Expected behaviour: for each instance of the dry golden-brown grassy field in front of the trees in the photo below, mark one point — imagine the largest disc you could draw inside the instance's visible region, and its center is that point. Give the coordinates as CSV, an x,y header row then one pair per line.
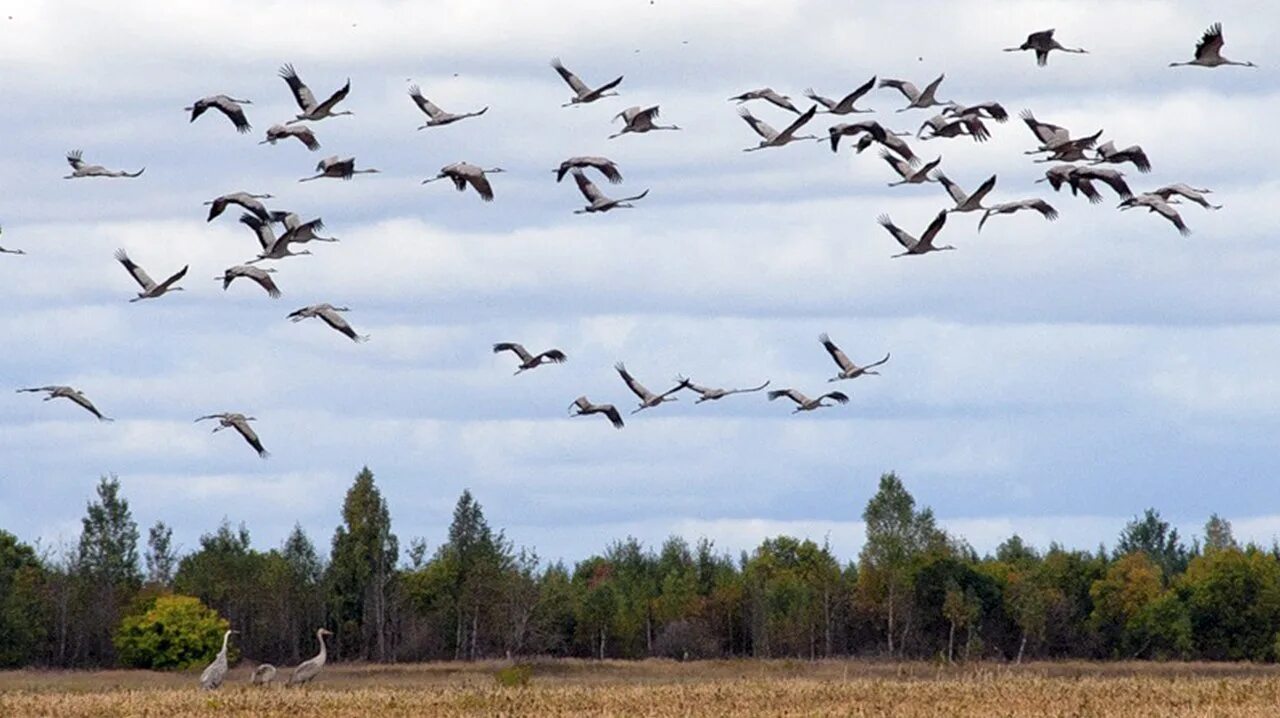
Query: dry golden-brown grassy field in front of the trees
x,y
659,688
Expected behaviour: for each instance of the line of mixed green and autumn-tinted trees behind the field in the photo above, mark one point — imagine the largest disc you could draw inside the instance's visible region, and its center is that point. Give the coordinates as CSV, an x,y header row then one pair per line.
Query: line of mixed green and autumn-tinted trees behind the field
x,y
915,593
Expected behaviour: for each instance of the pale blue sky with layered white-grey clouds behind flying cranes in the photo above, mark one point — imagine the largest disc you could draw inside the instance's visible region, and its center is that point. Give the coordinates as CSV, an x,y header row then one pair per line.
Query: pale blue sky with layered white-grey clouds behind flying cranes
x,y
1048,378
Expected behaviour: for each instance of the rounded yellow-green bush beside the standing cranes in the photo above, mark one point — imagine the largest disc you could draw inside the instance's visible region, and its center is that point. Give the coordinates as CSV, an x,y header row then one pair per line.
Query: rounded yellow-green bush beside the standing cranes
x,y
170,632
